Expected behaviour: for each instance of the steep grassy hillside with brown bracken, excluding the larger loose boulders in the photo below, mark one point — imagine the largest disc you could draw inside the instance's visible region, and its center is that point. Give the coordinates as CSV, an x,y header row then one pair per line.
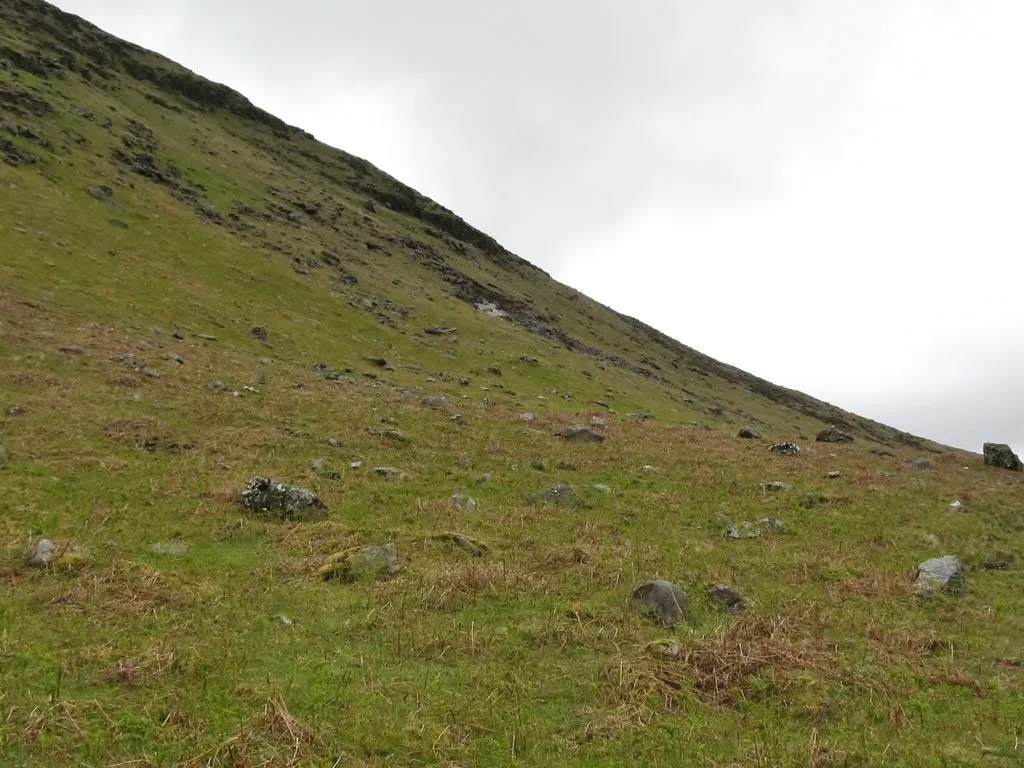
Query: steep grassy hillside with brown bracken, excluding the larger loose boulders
x,y
193,293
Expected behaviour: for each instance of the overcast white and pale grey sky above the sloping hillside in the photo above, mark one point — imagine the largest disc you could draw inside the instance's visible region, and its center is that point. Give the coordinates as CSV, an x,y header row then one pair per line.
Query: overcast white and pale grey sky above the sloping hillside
x,y
829,194
